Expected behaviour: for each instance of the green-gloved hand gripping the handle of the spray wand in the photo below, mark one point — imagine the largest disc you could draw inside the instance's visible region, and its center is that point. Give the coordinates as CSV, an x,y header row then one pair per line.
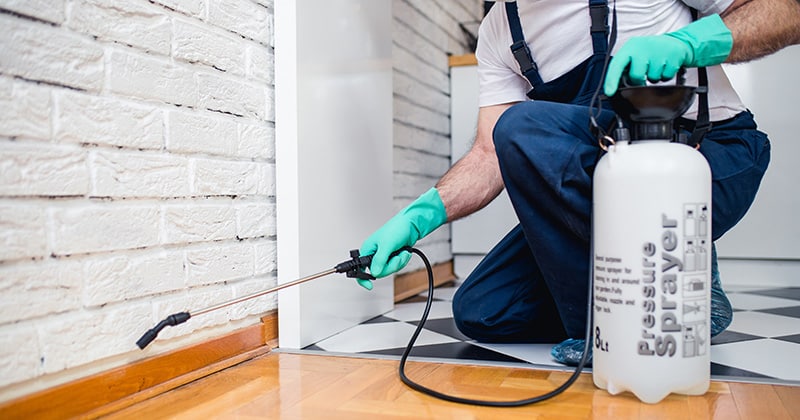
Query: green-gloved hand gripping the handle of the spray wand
x,y
408,226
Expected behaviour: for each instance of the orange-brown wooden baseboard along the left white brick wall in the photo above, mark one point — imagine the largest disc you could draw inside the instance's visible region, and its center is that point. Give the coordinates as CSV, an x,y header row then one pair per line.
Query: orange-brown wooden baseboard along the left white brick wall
x,y
114,389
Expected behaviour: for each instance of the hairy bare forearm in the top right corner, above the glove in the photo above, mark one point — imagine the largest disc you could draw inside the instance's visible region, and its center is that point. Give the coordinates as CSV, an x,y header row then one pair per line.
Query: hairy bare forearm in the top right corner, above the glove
x,y
761,27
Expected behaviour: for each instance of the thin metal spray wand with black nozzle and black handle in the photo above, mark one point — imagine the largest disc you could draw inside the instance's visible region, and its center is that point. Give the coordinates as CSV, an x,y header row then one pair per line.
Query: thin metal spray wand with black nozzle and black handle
x,y
354,267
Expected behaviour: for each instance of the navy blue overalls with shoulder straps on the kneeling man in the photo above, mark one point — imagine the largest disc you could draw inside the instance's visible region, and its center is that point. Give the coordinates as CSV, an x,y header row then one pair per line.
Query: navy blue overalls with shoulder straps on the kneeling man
x,y
532,286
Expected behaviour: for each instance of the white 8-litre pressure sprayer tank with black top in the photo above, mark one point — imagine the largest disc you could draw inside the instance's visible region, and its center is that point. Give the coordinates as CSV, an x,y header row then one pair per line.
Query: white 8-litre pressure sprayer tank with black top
x,y
651,262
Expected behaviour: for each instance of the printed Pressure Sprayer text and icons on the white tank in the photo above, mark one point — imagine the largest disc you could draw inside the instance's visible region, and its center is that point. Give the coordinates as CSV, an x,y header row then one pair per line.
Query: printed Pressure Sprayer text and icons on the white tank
x,y
668,285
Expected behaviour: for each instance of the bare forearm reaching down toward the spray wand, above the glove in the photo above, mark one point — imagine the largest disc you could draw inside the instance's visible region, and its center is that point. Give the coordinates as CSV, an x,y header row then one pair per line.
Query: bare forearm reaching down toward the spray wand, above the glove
x,y
474,181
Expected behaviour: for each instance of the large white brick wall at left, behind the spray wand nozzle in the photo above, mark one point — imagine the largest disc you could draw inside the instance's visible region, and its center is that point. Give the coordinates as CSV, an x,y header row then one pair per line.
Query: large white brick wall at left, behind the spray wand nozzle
x,y
136,177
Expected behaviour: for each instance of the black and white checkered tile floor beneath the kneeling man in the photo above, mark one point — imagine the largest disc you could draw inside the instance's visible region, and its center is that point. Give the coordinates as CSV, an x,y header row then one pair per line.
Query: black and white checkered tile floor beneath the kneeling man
x,y
761,345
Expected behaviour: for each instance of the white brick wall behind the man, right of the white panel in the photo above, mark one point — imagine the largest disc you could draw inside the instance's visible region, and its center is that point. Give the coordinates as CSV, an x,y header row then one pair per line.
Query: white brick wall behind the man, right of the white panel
x,y
424,33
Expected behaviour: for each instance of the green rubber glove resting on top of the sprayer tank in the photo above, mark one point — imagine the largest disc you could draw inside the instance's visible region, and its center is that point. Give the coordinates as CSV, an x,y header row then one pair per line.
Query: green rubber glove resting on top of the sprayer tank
x,y
705,42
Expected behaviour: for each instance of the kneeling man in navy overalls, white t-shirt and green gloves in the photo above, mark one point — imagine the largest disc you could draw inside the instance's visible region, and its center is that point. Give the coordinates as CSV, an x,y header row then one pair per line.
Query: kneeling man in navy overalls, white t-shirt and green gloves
x,y
532,287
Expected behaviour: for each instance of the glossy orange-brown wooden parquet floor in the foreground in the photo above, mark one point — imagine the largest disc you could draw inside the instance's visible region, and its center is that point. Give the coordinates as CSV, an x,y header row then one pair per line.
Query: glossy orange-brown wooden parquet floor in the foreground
x,y
280,385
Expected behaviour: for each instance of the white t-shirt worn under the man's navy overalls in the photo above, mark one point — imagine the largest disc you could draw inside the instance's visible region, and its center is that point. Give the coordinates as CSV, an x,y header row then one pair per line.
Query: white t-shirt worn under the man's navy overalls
x,y
557,32
